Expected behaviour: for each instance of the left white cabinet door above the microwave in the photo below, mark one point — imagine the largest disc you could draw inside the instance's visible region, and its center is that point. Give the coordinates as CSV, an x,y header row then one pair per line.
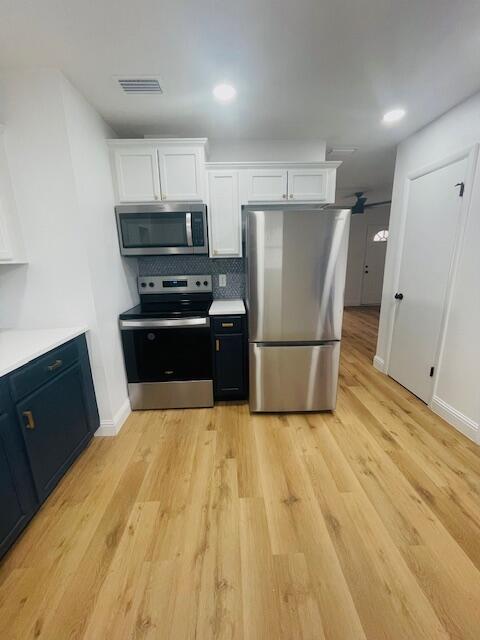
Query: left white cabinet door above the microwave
x,y
137,175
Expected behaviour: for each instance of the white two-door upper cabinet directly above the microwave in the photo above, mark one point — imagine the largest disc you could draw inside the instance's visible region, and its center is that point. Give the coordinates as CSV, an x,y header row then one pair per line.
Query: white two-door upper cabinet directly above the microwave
x,y
163,169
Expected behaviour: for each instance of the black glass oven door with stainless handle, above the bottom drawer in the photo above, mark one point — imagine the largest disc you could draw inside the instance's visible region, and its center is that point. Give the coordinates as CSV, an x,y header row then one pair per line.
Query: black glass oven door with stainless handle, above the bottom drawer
x,y
167,350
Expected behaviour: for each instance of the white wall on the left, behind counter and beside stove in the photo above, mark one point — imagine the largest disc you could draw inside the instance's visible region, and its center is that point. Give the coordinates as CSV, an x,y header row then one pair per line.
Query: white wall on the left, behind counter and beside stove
x,y
58,160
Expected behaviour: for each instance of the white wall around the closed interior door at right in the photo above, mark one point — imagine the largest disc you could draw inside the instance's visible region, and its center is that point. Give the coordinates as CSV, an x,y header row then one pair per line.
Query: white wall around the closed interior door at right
x,y
456,394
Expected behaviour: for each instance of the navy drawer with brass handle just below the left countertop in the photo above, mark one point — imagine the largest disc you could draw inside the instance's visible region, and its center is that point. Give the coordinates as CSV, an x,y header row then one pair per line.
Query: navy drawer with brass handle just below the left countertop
x,y
43,369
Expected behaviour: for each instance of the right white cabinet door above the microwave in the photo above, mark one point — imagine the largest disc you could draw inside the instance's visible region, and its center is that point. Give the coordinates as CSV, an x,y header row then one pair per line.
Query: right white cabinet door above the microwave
x,y
181,172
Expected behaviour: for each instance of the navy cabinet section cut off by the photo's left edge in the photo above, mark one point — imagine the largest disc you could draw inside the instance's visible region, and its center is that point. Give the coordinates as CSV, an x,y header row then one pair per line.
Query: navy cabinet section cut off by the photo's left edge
x,y
18,502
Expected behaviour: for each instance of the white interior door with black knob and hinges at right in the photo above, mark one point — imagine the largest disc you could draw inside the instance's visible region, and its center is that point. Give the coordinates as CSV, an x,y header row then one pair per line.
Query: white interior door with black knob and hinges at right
x,y
433,212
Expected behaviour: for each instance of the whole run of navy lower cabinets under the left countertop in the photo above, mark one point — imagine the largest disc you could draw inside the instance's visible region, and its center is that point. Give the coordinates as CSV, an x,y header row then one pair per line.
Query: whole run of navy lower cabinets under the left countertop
x,y
48,415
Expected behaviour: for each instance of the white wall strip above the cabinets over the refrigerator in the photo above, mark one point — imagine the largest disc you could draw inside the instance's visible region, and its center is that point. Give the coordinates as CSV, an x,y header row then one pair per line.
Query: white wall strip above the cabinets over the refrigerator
x,y
271,150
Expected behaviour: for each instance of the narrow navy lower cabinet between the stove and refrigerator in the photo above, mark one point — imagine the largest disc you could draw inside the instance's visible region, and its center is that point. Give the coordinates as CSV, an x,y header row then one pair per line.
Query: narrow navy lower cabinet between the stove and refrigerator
x,y
229,344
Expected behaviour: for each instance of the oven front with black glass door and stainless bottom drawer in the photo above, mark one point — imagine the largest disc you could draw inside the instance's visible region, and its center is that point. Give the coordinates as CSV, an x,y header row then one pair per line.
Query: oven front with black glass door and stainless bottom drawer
x,y
168,362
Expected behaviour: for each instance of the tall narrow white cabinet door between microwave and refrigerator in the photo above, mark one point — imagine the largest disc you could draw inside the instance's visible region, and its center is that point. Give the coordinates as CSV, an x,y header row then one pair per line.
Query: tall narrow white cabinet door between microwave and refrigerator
x,y
224,215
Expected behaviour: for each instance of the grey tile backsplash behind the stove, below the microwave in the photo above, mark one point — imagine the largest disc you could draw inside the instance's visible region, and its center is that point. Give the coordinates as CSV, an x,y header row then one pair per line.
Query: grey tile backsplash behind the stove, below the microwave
x,y
233,268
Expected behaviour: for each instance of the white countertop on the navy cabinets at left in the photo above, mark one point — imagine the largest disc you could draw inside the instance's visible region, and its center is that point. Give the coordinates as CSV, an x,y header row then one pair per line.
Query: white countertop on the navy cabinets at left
x,y
19,346
